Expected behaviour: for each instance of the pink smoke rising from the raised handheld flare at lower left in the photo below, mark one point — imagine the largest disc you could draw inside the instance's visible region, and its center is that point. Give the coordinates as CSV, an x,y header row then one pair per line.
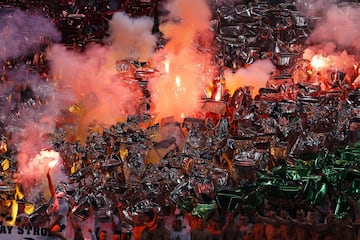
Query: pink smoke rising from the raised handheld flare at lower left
x,y
30,126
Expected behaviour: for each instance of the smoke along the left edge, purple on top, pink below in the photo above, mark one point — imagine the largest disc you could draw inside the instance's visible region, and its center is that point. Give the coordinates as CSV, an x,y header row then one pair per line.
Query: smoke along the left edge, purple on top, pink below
x,y
27,121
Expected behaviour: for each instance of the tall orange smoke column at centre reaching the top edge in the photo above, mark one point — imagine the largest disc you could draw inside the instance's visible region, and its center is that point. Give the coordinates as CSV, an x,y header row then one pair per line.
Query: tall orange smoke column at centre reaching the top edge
x,y
184,62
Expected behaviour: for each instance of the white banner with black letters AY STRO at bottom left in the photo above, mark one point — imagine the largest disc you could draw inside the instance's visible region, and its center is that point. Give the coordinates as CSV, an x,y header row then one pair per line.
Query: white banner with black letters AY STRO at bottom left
x,y
23,233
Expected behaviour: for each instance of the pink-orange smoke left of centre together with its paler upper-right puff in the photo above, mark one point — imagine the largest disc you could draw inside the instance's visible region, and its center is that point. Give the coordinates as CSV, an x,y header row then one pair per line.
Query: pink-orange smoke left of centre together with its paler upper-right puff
x,y
90,81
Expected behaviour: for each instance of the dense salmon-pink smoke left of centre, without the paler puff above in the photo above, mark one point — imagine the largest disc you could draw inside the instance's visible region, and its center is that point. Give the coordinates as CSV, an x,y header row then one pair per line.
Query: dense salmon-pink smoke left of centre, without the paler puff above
x,y
91,79
